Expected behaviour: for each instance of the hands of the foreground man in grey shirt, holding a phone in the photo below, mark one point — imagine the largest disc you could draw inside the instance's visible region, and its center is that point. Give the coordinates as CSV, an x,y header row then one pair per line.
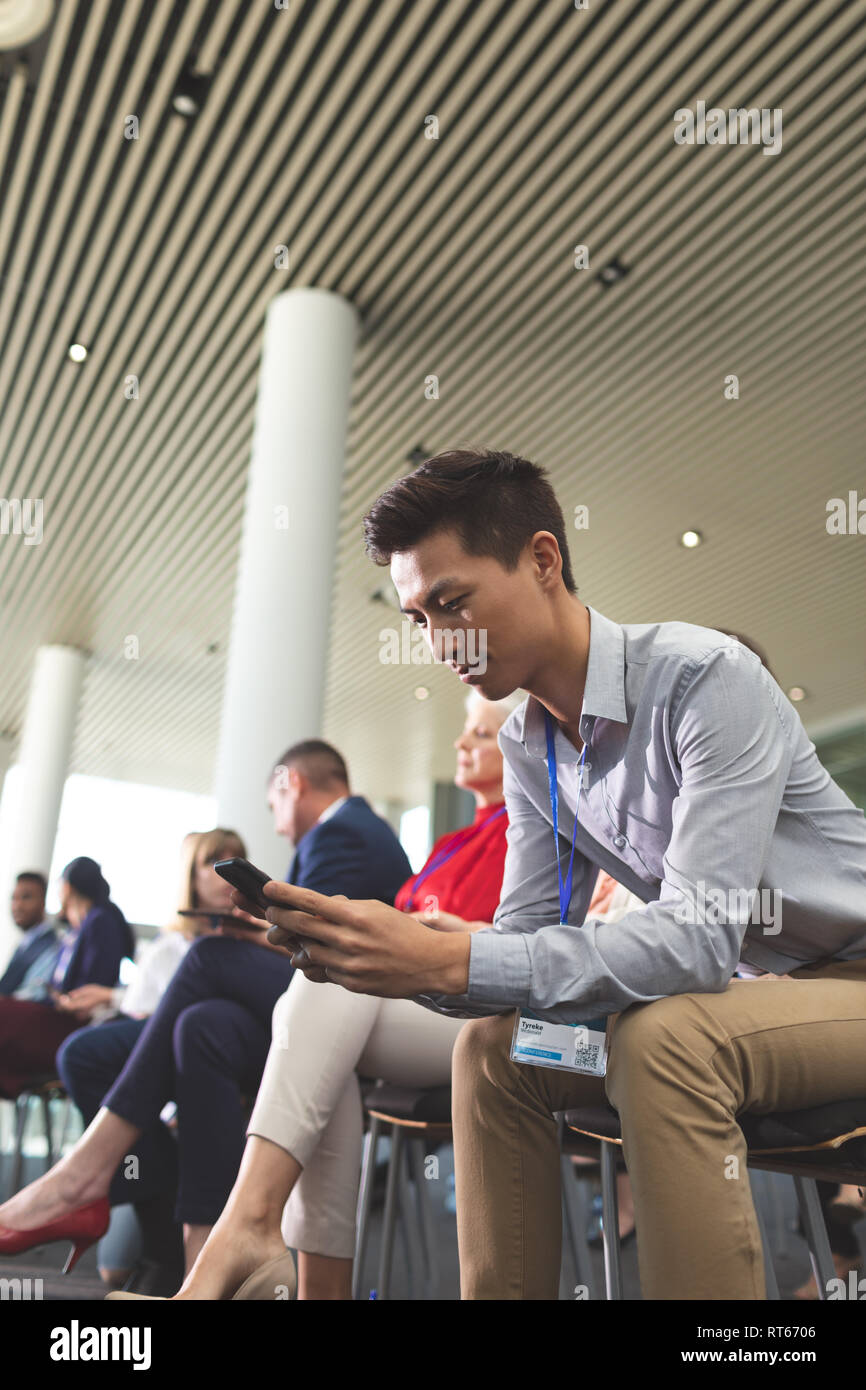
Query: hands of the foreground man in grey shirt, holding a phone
x,y
366,946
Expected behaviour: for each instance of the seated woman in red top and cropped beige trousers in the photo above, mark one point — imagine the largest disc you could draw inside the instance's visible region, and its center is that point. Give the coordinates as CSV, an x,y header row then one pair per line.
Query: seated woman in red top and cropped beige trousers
x,y
305,1136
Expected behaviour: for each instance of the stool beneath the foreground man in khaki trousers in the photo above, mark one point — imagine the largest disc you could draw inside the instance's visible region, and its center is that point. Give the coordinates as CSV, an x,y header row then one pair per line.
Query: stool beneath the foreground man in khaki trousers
x,y
826,1142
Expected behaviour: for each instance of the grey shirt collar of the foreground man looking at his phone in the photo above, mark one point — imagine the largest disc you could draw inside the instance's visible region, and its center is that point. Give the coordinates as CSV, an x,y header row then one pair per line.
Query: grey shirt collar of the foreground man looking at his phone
x,y
604,692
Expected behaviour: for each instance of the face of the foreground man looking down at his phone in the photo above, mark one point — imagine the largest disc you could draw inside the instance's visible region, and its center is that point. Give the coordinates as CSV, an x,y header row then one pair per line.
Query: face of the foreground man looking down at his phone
x,y
503,614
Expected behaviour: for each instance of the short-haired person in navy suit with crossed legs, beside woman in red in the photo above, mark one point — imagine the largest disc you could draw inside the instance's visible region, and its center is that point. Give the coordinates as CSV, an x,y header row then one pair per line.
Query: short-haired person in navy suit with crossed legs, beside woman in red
x,y
208,1040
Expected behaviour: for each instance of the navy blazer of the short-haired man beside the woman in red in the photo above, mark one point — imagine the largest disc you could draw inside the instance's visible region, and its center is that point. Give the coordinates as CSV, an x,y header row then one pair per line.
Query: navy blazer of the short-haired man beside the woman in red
x,y
354,853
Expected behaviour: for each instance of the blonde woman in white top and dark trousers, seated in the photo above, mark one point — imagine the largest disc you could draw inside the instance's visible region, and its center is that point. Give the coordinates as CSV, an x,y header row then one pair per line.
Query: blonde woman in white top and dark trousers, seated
x,y
91,1060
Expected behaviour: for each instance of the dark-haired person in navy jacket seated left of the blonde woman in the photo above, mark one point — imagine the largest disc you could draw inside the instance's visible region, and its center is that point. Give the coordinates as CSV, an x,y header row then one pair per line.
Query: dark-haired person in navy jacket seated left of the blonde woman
x,y
91,953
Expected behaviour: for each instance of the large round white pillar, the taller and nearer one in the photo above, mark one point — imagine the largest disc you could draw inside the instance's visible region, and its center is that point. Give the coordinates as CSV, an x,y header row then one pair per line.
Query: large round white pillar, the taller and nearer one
x,y
280,637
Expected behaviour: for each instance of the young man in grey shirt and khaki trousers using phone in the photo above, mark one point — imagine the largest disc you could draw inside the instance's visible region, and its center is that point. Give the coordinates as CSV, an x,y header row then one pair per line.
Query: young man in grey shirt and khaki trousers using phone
x,y
701,794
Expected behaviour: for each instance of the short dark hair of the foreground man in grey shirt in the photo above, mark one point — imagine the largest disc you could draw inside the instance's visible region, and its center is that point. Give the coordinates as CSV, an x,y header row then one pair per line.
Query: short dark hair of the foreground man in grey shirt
x,y
496,502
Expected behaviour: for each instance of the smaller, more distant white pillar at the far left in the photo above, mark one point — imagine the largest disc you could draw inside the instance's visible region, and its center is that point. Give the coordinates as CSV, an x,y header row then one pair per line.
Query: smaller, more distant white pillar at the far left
x,y
44,761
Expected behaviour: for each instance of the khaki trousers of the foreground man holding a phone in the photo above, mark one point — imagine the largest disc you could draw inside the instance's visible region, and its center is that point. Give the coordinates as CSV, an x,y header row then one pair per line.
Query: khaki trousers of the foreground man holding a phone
x,y
679,1072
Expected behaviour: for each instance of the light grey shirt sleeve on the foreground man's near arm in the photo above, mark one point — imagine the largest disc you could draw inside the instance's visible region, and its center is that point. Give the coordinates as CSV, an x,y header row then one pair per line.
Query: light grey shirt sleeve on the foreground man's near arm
x,y
736,755
